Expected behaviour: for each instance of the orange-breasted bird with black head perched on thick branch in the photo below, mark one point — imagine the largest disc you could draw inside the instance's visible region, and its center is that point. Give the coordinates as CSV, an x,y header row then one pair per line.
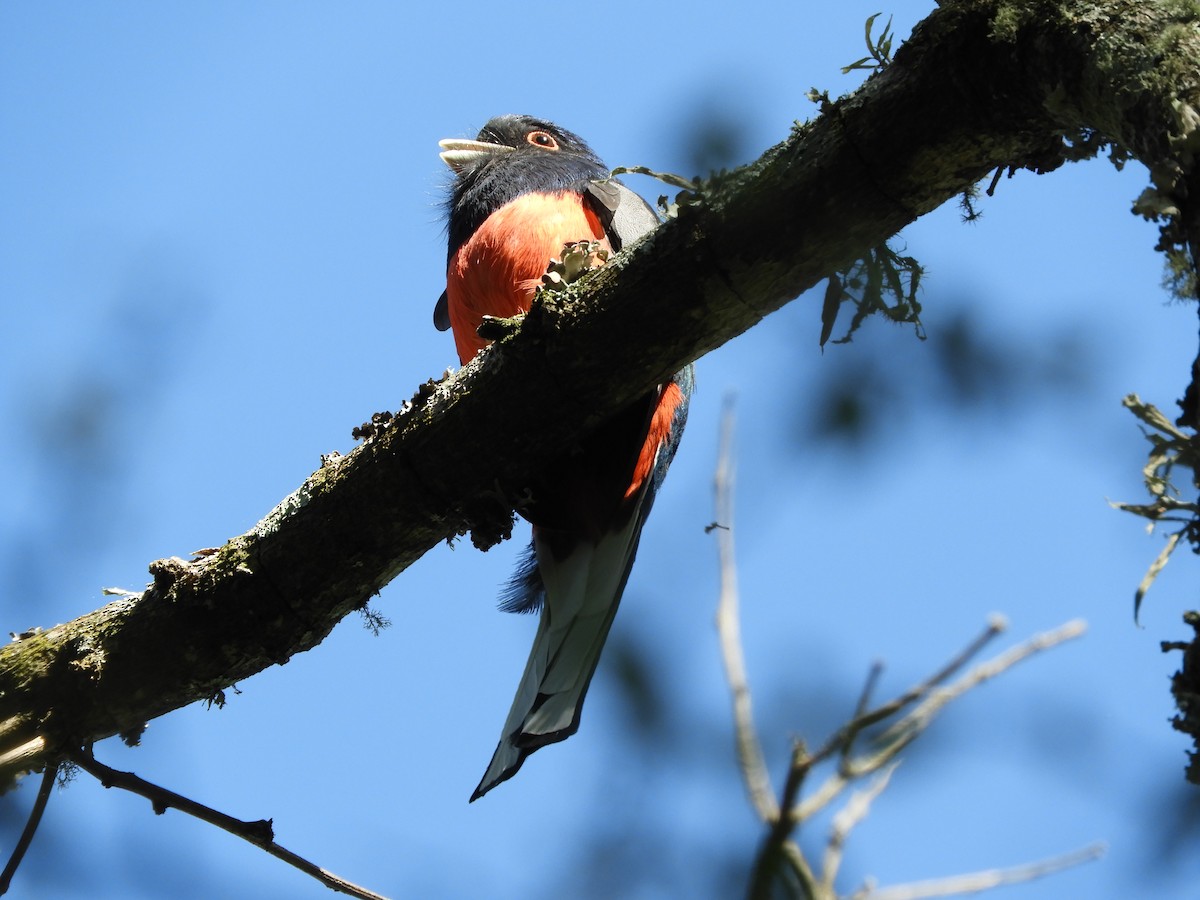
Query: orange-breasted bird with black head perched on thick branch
x,y
523,190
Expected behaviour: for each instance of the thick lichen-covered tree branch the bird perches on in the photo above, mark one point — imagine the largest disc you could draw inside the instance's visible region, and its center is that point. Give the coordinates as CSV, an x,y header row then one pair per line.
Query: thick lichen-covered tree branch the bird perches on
x,y
980,86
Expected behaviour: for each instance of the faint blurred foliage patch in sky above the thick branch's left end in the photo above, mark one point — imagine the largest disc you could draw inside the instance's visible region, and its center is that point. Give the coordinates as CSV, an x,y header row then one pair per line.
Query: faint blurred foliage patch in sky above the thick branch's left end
x,y
81,413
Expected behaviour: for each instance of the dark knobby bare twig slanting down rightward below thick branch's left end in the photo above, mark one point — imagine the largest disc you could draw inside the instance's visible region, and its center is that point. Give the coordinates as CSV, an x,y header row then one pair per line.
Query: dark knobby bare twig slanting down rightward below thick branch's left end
x,y
261,833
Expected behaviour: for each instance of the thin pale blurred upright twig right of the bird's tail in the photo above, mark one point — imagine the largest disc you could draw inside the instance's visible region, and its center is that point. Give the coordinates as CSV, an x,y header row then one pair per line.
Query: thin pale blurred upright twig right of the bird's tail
x,y
751,759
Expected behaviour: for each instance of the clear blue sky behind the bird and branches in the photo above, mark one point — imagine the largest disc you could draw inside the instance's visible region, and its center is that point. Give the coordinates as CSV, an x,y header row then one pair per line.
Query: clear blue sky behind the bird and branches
x,y
220,247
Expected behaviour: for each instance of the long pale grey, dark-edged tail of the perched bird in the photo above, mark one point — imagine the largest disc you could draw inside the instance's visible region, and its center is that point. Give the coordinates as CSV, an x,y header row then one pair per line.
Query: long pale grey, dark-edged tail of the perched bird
x,y
583,593
